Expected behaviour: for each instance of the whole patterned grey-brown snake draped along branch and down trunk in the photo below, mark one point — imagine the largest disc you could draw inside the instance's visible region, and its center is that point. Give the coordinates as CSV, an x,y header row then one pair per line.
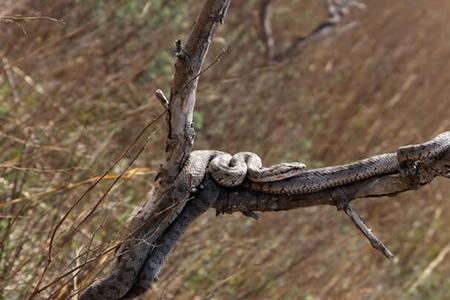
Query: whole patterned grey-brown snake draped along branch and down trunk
x,y
229,171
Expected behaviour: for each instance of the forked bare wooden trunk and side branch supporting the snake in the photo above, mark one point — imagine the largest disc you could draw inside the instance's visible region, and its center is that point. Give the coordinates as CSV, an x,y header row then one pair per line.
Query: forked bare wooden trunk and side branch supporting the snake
x,y
169,209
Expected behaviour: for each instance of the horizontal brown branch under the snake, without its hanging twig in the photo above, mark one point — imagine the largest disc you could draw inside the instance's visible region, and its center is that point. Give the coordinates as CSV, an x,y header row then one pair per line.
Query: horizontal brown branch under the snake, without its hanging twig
x,y
244,199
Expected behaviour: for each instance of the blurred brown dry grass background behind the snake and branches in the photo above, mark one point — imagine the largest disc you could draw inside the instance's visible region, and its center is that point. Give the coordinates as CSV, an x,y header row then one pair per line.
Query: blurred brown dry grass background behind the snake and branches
x,y
77,86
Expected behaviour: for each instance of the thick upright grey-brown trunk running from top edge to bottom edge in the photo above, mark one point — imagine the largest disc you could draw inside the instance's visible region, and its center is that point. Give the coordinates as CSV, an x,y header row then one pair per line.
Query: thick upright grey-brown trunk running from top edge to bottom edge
x,y
168,199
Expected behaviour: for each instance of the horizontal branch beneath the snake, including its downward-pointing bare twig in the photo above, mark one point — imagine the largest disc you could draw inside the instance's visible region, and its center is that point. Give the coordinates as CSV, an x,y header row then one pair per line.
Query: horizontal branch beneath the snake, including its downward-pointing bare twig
x,y
244,199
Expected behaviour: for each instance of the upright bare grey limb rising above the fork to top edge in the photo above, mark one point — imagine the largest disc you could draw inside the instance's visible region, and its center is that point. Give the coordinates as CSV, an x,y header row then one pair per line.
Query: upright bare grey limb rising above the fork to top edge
x,y
184,87
